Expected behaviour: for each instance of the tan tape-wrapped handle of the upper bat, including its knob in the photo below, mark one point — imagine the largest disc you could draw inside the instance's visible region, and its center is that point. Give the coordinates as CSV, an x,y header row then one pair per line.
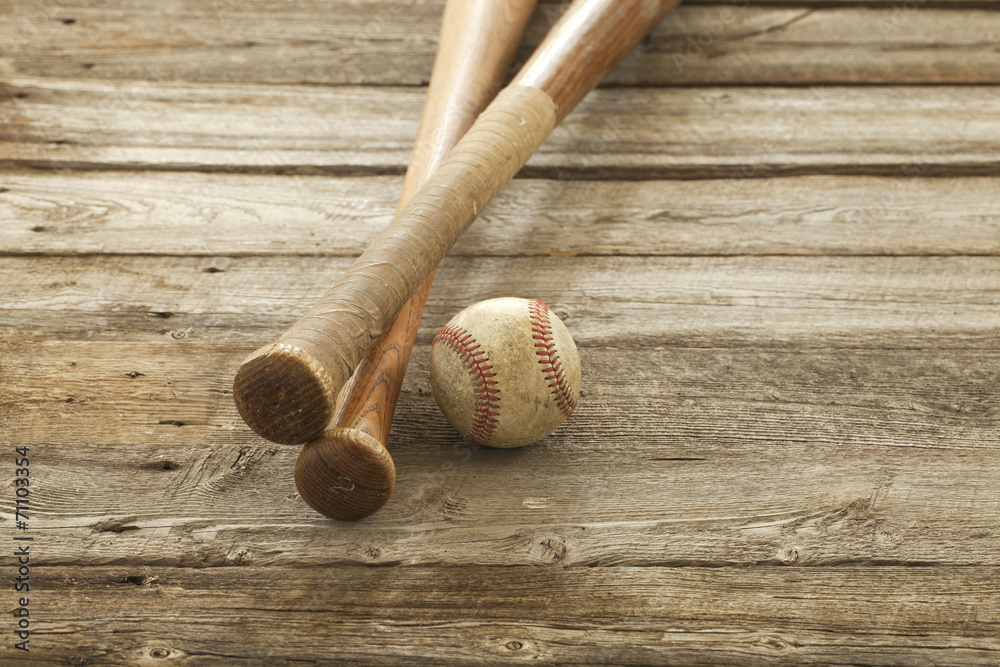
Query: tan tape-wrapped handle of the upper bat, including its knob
x,y
286,392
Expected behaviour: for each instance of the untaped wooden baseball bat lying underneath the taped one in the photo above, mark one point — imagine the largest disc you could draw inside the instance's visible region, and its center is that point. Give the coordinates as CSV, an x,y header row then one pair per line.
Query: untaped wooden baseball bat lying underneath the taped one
x,y
347,473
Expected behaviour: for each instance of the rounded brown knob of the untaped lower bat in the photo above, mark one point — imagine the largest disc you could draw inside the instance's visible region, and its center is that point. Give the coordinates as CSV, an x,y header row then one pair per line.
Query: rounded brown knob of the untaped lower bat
x,y
345,474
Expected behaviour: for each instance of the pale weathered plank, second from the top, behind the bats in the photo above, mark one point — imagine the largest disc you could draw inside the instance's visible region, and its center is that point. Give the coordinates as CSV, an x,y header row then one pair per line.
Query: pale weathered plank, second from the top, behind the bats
x,y
627,133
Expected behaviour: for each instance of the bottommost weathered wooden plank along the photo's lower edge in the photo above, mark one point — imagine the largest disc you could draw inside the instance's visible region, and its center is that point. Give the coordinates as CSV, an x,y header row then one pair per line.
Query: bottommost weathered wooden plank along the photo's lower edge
x,y
477,615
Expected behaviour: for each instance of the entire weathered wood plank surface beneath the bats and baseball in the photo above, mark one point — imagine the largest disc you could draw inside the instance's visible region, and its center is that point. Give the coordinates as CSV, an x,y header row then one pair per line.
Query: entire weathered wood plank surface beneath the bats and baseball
x,y
774,233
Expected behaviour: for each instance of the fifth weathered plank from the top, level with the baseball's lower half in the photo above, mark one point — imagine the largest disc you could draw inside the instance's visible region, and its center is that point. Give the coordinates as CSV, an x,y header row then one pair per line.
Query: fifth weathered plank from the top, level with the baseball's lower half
x,y
150,380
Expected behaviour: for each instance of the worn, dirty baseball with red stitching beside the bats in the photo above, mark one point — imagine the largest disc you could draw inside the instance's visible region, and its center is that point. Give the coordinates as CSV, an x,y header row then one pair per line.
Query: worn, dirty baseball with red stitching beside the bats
x,y
505,372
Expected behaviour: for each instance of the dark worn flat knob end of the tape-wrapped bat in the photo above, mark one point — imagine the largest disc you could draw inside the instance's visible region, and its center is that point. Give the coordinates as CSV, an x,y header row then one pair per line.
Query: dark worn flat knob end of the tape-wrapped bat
x,y
284,394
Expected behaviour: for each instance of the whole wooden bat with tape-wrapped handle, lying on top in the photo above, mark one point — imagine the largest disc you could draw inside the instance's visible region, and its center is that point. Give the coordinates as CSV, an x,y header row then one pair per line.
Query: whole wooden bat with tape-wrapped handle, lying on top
x,y
286,392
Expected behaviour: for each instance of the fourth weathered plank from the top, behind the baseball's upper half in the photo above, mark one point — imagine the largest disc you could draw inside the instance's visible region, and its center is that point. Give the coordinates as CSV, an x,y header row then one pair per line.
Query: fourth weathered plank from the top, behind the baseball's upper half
x,y
849,302
